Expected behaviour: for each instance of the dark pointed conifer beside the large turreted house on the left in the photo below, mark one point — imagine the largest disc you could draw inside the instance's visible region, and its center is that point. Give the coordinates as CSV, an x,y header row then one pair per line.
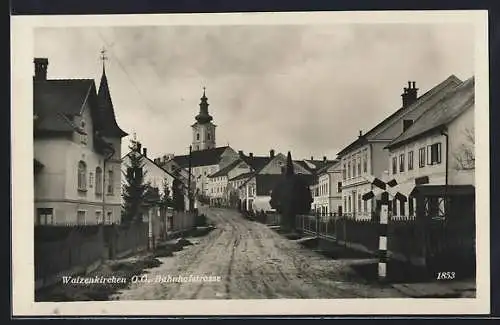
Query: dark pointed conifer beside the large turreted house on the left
x,y
134,191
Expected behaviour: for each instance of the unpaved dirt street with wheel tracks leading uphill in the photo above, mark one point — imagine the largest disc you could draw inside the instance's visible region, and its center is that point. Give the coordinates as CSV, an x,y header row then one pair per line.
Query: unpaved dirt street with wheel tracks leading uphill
x,y
252,261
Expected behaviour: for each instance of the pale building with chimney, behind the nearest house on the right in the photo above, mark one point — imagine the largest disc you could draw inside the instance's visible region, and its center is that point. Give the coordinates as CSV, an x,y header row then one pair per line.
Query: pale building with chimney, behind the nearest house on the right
x,y
367,156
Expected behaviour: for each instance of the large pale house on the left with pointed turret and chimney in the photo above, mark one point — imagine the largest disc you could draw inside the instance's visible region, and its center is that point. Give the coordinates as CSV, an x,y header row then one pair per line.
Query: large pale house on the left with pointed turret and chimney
x,y
77,151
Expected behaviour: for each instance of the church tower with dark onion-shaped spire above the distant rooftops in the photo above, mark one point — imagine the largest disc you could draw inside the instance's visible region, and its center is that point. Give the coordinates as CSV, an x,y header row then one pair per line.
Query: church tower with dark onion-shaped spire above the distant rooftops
x,y
203,129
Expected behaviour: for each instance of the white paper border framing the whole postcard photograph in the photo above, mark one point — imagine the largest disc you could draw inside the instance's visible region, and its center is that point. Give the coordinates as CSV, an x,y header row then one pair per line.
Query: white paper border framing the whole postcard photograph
x,y
22,176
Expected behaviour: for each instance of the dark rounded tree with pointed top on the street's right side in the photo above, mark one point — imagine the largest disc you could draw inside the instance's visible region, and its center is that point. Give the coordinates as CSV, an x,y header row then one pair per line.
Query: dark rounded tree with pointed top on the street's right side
x,y
291,196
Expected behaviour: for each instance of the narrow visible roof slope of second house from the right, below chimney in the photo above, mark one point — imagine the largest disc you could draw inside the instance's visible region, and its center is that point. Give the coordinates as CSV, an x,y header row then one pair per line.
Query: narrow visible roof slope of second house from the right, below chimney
x,y
421,100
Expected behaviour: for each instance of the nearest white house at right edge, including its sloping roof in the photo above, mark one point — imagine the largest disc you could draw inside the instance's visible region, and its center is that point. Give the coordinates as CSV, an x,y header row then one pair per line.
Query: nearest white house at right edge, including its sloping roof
x,y
438,149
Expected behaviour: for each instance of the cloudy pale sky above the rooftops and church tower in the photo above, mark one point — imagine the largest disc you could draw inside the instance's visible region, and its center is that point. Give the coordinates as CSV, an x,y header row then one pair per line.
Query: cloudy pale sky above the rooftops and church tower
x,y
308,89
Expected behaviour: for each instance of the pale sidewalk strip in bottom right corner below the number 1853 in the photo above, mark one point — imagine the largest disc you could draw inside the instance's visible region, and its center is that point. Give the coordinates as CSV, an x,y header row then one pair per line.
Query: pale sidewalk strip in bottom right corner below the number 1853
x,y
452,289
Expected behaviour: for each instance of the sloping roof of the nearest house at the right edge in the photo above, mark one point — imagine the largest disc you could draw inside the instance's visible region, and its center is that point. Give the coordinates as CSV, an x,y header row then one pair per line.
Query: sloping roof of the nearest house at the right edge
x,y
441,114
